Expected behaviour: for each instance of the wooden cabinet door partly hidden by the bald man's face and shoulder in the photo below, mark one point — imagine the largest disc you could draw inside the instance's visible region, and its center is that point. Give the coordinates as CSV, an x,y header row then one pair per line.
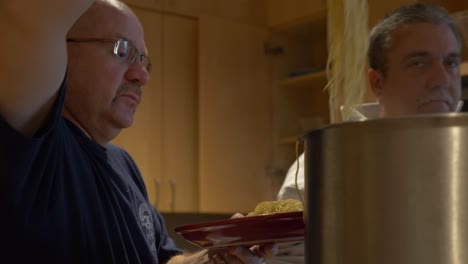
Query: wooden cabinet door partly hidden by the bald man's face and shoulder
x,y
143,139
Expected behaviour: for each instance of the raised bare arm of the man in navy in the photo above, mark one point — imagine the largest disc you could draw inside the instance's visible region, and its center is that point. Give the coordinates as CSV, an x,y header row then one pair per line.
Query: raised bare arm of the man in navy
x,y
33,54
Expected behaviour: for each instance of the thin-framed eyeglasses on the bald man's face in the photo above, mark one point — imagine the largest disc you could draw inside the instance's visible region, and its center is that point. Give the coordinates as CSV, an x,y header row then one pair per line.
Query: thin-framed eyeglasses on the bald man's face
x,y
123,49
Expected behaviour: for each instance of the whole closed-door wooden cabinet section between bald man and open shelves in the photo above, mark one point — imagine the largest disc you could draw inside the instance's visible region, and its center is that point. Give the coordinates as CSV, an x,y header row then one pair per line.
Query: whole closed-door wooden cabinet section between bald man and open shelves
x,y
202,133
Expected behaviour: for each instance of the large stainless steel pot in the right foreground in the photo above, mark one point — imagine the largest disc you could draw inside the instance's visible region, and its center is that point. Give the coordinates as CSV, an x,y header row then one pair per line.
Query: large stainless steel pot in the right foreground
x,y
388,191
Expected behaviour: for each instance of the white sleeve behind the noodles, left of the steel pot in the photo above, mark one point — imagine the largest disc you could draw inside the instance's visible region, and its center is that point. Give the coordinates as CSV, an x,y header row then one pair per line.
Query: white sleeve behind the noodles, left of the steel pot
x,y
288,189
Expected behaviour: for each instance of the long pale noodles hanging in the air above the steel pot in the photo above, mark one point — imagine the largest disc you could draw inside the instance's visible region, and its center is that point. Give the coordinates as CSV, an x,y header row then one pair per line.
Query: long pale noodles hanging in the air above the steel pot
x,y
347,28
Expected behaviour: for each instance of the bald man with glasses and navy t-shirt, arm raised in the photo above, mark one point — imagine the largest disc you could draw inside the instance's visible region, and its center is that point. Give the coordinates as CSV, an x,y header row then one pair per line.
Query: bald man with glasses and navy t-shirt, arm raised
x,y
66,194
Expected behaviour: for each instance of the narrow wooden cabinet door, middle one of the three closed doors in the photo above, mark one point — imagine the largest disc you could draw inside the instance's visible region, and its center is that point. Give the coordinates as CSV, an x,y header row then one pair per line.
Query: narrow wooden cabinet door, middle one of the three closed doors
x,y
180,115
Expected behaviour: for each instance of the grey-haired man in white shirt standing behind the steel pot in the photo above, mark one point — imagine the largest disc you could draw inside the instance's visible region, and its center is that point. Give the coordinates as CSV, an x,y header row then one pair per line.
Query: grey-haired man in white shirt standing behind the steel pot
x,y
414,56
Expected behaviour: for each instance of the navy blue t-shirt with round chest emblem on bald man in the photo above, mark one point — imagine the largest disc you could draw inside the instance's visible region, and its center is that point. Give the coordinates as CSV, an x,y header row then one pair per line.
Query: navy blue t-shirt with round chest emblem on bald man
x,y
66,199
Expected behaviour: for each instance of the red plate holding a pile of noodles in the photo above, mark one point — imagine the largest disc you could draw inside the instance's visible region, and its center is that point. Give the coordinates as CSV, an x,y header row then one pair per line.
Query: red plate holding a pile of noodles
x,y
283,227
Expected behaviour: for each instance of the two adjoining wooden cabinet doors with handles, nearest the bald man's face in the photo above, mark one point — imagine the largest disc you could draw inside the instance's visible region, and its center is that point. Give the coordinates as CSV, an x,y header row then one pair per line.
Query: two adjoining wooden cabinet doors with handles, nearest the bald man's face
x,y
163,138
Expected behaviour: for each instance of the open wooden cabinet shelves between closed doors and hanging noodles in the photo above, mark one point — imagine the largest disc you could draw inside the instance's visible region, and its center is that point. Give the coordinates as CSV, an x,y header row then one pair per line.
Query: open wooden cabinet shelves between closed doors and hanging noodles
x,y
298,73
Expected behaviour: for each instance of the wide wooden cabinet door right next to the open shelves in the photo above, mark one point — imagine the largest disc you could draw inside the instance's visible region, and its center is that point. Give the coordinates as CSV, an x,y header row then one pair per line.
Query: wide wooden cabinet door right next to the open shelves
x,y
234,103
